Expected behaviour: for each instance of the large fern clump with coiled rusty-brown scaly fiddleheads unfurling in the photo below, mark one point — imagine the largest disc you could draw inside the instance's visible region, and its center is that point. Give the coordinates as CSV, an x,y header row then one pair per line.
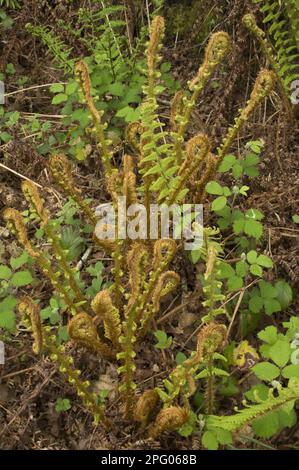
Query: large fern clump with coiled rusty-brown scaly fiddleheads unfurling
x,y
142,276
